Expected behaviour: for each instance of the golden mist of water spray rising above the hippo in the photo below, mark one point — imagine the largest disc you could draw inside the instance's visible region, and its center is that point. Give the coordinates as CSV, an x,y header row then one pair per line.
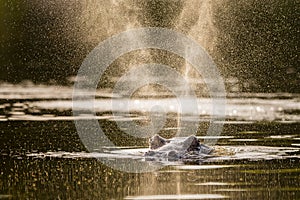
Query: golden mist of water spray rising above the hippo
x,y
102,19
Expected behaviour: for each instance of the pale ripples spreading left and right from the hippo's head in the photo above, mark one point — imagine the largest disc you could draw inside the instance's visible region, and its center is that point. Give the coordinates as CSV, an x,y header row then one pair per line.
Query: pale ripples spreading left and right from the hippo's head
x,y
236,153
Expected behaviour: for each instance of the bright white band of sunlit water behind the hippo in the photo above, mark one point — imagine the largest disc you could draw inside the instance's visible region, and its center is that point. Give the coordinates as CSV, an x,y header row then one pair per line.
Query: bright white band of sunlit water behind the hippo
x,y
54,103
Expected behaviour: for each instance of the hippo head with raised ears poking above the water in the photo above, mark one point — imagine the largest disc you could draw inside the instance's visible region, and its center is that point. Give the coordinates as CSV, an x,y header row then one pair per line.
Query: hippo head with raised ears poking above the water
x,y
188,148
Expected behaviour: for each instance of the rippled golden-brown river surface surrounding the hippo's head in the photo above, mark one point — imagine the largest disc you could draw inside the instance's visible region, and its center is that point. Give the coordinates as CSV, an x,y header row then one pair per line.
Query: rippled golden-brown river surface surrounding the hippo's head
x,y
42,156
